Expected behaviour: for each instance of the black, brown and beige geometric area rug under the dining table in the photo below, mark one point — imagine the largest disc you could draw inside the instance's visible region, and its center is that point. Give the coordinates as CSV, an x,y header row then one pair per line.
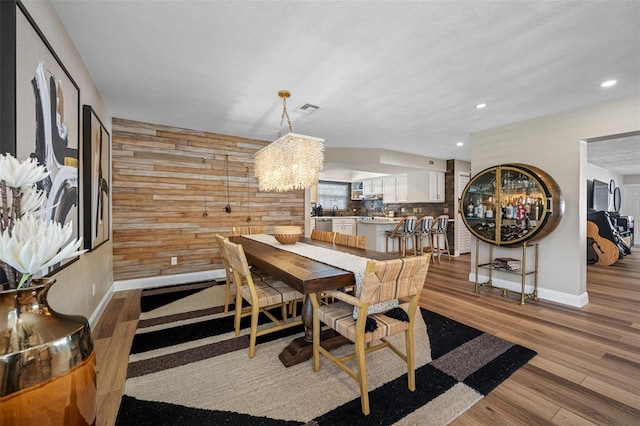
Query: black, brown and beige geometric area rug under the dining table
x,y
187,367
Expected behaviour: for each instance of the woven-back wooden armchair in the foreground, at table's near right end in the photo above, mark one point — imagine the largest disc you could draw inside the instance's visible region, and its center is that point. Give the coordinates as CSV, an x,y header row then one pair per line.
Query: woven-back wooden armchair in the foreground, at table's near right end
x,y
383,281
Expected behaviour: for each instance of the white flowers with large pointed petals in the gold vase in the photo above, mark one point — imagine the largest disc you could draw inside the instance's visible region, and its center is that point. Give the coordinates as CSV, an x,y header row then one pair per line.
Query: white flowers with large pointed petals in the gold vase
x,y
28,243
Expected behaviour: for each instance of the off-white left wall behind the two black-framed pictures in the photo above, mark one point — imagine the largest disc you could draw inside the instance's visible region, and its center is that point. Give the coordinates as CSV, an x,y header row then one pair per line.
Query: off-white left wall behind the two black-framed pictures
x,y
73,291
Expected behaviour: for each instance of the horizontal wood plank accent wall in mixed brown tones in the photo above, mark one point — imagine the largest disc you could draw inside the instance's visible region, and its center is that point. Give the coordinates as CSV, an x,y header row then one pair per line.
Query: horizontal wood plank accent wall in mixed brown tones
x,y
161,189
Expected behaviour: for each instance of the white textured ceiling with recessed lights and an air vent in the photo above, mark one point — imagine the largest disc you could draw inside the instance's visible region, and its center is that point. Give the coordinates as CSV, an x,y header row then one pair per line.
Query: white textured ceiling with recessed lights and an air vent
x,y
397,75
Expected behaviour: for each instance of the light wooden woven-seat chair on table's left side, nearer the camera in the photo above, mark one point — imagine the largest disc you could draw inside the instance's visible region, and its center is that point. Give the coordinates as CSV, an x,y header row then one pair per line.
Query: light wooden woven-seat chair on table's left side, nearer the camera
x,y
262,296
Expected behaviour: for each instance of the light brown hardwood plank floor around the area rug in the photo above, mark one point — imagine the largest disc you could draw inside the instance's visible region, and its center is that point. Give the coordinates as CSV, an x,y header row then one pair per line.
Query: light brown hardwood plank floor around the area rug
x,y
587,370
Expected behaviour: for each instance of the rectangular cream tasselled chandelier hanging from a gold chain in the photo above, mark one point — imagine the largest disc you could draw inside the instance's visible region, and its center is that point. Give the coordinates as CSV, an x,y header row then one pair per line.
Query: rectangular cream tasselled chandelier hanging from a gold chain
x,y
292,161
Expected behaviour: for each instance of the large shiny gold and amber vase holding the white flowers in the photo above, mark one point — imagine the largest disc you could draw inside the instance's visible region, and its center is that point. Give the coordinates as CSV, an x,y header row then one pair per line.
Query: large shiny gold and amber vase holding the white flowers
x,y
47,362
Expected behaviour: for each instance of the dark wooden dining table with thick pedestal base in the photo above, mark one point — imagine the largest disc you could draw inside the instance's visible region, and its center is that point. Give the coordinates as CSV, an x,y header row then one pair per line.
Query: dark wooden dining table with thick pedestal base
x,y
309,277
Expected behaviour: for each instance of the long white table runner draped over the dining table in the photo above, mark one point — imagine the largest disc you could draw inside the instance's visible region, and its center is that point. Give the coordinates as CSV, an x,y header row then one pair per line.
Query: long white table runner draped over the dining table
x,y
347,261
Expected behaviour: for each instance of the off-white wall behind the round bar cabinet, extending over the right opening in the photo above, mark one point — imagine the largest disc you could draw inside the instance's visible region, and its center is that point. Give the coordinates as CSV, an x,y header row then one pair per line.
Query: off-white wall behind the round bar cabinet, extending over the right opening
x,y
555,144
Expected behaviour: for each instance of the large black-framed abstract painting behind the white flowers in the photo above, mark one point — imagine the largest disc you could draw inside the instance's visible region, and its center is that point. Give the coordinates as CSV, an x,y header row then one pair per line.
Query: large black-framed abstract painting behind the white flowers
x,y
46,110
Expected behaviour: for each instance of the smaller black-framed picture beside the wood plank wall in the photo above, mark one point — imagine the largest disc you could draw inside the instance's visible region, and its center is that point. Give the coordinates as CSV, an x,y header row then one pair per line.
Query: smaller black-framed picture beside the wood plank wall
x,y
96,167
